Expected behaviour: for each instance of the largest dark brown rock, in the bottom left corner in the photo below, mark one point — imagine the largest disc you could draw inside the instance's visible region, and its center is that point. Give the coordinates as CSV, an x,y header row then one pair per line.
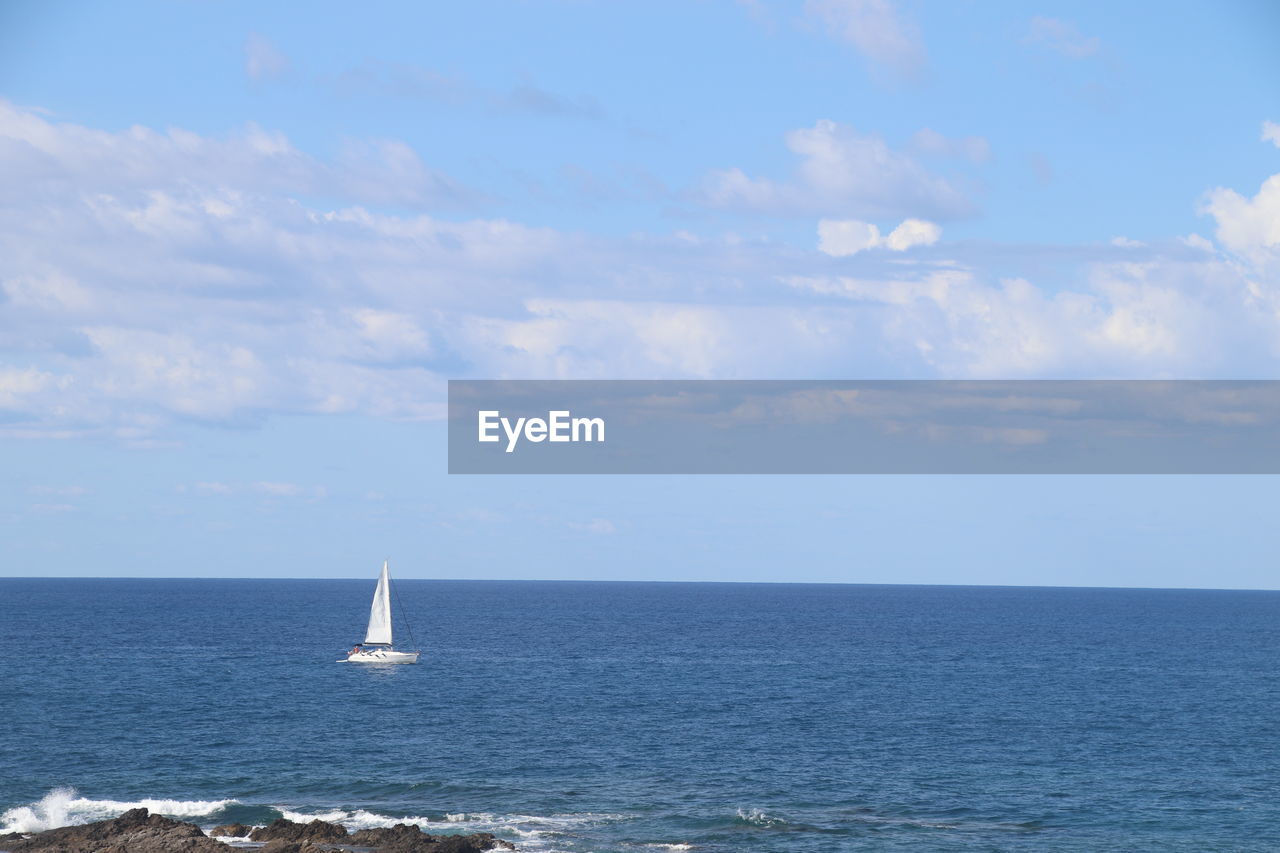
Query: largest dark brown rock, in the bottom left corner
x,y
134,832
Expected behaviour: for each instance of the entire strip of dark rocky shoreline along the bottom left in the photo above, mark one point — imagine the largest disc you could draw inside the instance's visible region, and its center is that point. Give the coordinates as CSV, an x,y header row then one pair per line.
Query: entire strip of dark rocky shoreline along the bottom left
x,y
140,832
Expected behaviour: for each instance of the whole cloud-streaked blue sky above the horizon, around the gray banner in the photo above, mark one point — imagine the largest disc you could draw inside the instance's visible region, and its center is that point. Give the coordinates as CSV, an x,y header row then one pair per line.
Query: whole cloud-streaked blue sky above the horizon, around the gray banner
x,y
243,249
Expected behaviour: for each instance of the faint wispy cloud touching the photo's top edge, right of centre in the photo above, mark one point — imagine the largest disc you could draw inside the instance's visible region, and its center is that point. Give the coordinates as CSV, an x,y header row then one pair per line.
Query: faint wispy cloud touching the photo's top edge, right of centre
x,y
876,30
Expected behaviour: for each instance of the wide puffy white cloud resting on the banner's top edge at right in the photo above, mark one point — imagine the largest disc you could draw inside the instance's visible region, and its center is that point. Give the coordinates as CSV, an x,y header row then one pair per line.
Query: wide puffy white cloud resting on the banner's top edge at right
x,y
1172,317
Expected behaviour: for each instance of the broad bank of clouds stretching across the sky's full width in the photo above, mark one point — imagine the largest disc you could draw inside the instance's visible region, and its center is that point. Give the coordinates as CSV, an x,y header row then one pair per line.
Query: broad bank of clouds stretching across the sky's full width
x,y
157,277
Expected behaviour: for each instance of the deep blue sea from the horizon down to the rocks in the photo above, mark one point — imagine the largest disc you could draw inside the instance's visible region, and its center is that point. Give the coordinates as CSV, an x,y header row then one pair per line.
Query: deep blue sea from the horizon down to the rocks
x,y
628,717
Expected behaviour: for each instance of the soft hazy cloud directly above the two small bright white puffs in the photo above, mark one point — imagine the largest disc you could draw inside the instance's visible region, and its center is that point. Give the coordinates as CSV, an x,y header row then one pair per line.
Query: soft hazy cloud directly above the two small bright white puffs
x,y
842,172
